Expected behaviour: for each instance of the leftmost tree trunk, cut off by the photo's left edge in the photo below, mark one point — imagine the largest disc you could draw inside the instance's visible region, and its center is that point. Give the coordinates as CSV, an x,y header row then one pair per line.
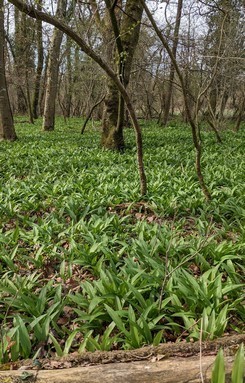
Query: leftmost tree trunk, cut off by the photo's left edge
x,y
7,131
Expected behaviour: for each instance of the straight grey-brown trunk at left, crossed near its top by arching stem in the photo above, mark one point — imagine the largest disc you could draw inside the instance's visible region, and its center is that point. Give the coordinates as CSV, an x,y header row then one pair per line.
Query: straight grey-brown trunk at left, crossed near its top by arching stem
x,y
53,72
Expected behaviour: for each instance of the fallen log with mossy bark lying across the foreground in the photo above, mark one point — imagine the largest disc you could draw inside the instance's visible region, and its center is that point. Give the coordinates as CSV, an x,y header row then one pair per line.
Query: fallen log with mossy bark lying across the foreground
x,y
166,363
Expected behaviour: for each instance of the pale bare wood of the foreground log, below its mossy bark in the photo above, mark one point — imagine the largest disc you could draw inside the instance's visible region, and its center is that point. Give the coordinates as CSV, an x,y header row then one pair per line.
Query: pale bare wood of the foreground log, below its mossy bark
x,y
172,370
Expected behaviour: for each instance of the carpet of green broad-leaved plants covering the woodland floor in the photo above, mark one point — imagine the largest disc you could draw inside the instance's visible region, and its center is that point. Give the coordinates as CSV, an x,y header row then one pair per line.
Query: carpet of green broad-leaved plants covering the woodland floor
x,y
86,265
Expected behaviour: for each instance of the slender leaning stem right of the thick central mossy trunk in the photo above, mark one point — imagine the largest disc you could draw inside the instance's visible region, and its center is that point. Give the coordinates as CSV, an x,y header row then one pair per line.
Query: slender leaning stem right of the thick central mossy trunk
x,y
185,92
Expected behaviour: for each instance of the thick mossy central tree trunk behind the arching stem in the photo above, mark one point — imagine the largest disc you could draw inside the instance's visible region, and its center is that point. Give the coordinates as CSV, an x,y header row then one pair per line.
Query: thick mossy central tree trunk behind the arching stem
x,y
127,37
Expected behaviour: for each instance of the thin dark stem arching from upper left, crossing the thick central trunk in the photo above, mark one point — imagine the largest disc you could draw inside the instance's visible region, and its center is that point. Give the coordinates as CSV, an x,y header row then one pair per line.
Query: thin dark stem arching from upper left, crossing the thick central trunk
x,y
39,15
